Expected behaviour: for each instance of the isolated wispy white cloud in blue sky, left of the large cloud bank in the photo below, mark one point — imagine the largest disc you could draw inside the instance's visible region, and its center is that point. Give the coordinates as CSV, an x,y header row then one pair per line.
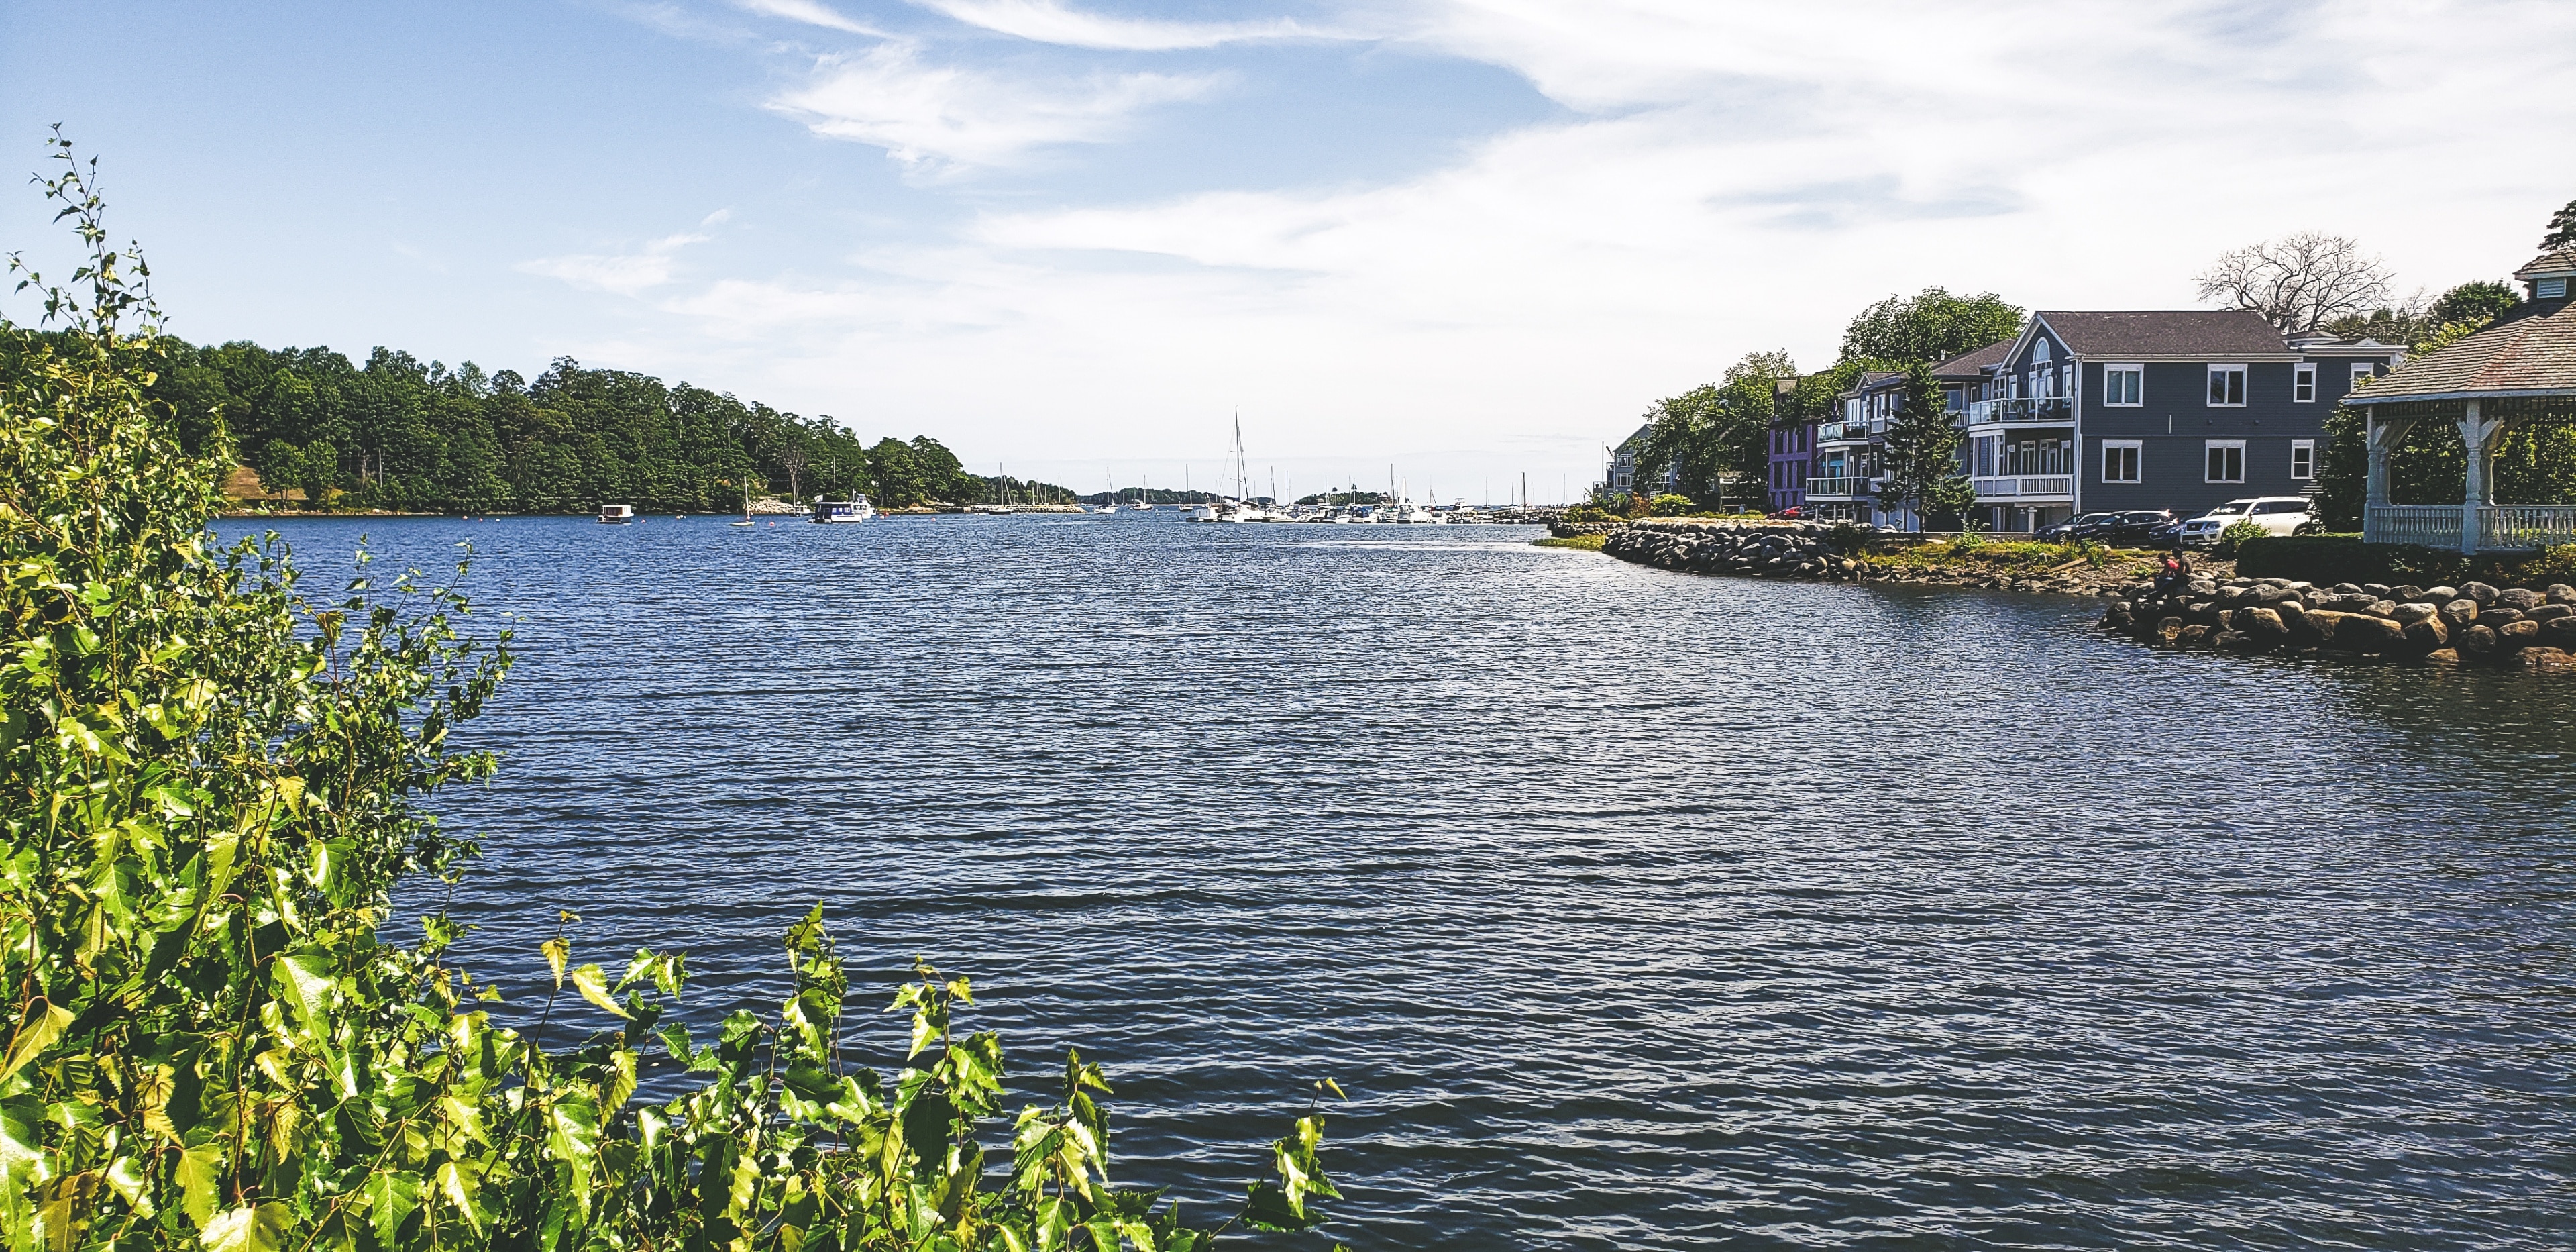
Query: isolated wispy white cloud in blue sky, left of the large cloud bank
x,y
949,117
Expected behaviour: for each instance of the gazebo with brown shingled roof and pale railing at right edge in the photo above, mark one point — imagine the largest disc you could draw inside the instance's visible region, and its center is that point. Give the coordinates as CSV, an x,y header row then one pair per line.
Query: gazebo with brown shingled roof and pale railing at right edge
x,y
2515,372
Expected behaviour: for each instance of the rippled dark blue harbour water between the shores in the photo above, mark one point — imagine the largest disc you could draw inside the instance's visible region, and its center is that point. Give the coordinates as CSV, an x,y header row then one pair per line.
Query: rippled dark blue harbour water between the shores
x,y
1632,908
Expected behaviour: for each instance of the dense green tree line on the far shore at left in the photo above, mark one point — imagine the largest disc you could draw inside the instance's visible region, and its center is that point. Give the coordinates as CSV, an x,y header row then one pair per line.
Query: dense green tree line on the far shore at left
x,y
398,434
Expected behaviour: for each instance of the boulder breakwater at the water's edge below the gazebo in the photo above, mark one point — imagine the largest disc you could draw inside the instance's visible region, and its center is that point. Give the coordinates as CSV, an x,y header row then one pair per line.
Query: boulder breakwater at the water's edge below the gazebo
x,y
2469,625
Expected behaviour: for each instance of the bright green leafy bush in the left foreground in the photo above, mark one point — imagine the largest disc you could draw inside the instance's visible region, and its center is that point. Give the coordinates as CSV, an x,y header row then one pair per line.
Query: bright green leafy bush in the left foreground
x,y
213,787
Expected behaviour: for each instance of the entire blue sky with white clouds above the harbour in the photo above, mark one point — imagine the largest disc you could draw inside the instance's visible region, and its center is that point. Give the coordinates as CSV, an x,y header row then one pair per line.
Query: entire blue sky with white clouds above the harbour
x,y
1452,241
